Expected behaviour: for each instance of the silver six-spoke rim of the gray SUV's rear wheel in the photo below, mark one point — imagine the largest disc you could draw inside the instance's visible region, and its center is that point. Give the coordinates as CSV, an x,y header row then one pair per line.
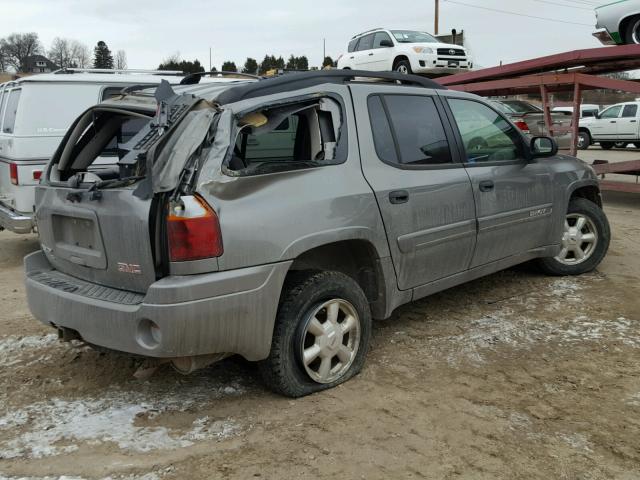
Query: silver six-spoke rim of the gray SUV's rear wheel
x,y
330,340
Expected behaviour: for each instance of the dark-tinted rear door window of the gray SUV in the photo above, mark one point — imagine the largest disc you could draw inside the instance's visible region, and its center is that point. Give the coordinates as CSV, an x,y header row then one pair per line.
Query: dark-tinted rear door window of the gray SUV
x,y
416,128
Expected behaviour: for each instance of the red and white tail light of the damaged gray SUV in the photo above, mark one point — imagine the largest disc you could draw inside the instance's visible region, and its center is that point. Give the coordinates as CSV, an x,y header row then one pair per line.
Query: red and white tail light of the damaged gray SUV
x,y
193,230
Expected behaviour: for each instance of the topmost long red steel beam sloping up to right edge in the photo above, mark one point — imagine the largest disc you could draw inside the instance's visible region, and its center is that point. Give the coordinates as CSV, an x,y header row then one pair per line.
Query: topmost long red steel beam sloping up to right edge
x,y
602,60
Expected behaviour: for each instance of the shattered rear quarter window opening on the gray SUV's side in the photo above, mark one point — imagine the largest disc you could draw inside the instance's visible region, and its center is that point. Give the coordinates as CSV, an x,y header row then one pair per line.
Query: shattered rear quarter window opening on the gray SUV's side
x,y
286,137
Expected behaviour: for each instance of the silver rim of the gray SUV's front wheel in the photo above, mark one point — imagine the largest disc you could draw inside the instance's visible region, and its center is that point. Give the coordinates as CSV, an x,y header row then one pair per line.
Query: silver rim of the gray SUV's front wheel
x,y
579,239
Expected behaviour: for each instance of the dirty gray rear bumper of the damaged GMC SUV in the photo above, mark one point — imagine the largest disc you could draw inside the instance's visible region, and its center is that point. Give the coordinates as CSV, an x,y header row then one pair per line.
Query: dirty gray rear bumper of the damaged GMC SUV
x,y
225,312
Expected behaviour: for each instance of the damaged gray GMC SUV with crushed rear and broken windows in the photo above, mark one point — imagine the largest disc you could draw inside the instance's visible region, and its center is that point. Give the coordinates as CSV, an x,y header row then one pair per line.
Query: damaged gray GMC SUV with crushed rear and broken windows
x,y
276,218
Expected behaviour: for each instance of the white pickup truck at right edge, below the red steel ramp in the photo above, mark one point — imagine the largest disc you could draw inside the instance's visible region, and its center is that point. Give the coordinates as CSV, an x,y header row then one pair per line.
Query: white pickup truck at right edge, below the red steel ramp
x,y
617,125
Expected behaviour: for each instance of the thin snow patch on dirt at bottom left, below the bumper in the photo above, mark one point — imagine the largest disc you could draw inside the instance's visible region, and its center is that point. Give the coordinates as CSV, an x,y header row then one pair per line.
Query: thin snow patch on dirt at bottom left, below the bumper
x,y
57,426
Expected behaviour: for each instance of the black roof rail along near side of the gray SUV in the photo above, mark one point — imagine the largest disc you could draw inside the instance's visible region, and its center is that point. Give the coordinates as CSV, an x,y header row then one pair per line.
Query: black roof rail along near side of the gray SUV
x,y
297,81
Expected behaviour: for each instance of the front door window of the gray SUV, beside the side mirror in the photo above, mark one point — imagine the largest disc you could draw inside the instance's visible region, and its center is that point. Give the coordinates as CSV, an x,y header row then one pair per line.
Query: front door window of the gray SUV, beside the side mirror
x,y
487,137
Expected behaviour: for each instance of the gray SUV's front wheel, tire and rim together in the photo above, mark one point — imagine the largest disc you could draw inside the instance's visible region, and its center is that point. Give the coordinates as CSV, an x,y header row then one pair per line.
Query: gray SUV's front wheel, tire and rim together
x,y
585,240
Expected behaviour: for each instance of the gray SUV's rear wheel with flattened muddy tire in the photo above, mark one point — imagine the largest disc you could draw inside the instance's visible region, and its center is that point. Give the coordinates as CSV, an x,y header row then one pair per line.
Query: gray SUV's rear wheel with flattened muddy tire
x,y
321,335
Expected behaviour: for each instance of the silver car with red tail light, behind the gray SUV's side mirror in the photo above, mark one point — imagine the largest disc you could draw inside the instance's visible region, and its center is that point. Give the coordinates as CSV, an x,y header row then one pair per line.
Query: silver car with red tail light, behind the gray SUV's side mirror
x,y
530,119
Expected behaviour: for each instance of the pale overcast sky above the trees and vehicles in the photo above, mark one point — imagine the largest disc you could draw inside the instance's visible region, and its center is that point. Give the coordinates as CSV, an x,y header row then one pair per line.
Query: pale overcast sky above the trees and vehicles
x,y
152,30
